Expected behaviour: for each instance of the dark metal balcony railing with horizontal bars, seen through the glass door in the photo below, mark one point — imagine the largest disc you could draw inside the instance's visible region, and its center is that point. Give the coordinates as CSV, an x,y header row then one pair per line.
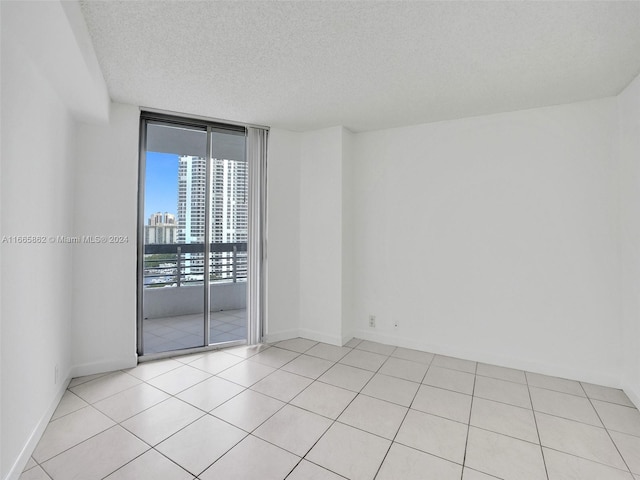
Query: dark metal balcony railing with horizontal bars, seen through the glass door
x,y
182,264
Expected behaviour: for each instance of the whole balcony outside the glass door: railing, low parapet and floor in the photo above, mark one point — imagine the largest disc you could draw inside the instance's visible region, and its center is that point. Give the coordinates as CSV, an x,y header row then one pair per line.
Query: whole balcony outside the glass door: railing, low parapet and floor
x,y
173,295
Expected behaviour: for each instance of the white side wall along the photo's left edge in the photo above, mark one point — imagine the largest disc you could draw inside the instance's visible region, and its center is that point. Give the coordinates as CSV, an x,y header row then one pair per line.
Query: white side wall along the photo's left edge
x,y
37,196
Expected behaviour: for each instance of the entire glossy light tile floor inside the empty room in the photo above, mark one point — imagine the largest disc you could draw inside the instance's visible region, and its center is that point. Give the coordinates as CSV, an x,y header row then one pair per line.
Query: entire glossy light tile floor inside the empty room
x,y
305,410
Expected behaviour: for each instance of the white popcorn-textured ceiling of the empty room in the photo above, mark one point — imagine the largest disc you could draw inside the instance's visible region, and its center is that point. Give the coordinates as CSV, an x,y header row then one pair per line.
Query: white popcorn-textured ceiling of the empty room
x,y
366,65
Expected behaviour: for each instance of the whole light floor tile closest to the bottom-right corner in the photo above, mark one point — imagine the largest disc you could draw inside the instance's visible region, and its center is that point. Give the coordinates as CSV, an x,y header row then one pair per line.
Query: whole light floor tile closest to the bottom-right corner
x,y
579,439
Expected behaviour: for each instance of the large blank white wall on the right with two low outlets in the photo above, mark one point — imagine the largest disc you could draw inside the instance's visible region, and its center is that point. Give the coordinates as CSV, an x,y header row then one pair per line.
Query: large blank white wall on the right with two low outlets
x,y
494,238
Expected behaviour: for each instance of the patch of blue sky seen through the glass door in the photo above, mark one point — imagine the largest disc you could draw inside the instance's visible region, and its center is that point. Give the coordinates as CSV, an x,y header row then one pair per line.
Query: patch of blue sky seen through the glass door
x,y
161,184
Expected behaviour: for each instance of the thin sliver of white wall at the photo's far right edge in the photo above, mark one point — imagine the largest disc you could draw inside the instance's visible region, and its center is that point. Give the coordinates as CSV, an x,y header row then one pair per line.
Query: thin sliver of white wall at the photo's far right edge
x,y
629,119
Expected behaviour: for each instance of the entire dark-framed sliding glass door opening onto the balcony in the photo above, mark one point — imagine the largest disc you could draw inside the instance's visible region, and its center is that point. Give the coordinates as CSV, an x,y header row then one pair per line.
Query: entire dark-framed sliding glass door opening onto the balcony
x,y
194,233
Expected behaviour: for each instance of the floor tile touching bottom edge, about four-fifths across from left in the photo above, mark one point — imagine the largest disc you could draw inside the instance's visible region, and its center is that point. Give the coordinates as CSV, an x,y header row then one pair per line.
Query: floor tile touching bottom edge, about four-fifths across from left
x,y
505,457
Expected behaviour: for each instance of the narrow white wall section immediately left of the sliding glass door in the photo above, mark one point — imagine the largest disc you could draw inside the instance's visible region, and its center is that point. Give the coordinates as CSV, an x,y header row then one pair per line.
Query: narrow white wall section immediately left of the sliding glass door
x,y
104,275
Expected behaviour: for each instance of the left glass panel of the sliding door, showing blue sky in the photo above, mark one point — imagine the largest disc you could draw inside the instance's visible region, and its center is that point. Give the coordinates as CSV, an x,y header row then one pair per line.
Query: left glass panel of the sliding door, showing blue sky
x,y
173,265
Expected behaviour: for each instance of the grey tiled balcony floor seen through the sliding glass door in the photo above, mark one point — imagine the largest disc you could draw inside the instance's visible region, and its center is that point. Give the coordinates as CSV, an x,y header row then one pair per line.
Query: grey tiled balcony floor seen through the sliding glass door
x,y
185,331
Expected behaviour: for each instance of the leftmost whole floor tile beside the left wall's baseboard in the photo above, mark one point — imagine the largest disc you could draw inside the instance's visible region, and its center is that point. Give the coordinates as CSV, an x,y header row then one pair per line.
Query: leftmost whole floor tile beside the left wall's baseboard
x,y
67,431
